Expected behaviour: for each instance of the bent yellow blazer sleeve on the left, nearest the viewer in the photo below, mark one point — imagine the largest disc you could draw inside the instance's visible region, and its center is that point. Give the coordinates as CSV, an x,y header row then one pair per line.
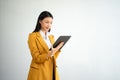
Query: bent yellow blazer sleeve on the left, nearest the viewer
x,y
37,57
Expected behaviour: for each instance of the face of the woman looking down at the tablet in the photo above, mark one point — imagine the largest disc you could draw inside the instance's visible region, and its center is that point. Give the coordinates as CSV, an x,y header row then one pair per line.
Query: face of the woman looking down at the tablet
x,y
46,24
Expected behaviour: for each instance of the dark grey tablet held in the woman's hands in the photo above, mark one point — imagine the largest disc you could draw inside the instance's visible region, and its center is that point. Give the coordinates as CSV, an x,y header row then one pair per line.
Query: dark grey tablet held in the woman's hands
x,y
61,39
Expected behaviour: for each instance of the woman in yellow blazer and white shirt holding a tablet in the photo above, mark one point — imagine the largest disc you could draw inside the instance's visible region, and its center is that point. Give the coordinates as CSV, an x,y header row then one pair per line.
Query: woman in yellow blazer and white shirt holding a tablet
x,y
43,64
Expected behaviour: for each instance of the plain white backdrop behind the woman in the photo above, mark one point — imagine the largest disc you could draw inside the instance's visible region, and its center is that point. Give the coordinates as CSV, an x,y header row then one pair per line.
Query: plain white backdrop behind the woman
x,y
92,53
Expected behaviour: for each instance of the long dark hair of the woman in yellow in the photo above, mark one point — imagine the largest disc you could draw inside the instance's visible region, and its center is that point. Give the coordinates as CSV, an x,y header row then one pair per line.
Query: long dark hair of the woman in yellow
x,y
42,15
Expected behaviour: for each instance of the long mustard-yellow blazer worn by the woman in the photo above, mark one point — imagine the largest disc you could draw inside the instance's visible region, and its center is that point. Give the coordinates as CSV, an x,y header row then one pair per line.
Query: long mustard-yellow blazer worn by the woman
x,y
41,68
